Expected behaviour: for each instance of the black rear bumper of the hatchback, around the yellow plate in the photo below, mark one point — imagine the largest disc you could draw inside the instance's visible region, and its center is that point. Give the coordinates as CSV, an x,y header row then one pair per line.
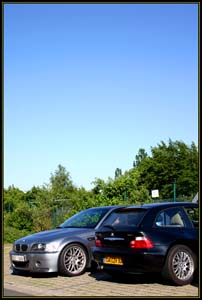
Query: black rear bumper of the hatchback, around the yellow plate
x,y
132,262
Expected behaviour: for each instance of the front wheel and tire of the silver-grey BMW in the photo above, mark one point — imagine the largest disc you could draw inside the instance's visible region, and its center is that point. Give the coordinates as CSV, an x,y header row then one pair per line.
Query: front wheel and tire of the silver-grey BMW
x,y
73,260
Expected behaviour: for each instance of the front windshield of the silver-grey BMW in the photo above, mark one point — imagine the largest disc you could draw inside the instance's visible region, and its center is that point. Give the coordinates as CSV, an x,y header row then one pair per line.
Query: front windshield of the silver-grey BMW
x,y
88,218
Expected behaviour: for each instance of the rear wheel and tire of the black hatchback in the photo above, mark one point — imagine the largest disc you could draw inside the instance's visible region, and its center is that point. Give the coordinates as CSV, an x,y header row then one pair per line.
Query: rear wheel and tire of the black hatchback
x,y
180,265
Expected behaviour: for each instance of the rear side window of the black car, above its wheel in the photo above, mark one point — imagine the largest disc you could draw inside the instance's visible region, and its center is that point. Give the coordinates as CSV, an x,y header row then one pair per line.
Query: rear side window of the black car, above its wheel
x,y
172,217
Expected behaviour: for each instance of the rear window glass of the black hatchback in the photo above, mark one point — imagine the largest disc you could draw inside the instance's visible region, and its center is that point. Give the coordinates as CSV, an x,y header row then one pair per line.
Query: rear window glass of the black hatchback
x,y
125,217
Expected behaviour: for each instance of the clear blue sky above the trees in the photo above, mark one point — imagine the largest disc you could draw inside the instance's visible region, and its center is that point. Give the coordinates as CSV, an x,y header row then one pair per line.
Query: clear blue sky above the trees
x,y
87,85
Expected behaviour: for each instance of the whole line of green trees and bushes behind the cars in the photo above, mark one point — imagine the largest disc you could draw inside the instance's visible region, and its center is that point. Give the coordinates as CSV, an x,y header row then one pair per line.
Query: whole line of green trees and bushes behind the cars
x,y
172,164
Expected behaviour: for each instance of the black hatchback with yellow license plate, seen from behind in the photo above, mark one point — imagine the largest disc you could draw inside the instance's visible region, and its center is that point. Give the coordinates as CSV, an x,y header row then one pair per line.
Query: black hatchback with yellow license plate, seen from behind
x,y
158,237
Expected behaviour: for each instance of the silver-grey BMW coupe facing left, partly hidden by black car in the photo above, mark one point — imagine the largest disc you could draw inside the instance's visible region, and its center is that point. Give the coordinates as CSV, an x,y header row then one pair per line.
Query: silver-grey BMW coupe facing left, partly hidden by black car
x,y
66,249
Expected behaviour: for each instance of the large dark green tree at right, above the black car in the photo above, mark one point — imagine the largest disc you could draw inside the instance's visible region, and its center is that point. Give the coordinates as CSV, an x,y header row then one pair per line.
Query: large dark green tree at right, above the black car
x,y
168,163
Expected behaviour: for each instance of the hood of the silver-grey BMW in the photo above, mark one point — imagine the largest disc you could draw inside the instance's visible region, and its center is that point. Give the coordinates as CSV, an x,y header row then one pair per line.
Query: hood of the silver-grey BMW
x,y
54,234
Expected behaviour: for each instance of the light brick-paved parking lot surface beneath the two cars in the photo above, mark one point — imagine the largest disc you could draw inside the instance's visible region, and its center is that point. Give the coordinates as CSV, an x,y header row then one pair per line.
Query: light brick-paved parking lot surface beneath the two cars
x,y
93,284
